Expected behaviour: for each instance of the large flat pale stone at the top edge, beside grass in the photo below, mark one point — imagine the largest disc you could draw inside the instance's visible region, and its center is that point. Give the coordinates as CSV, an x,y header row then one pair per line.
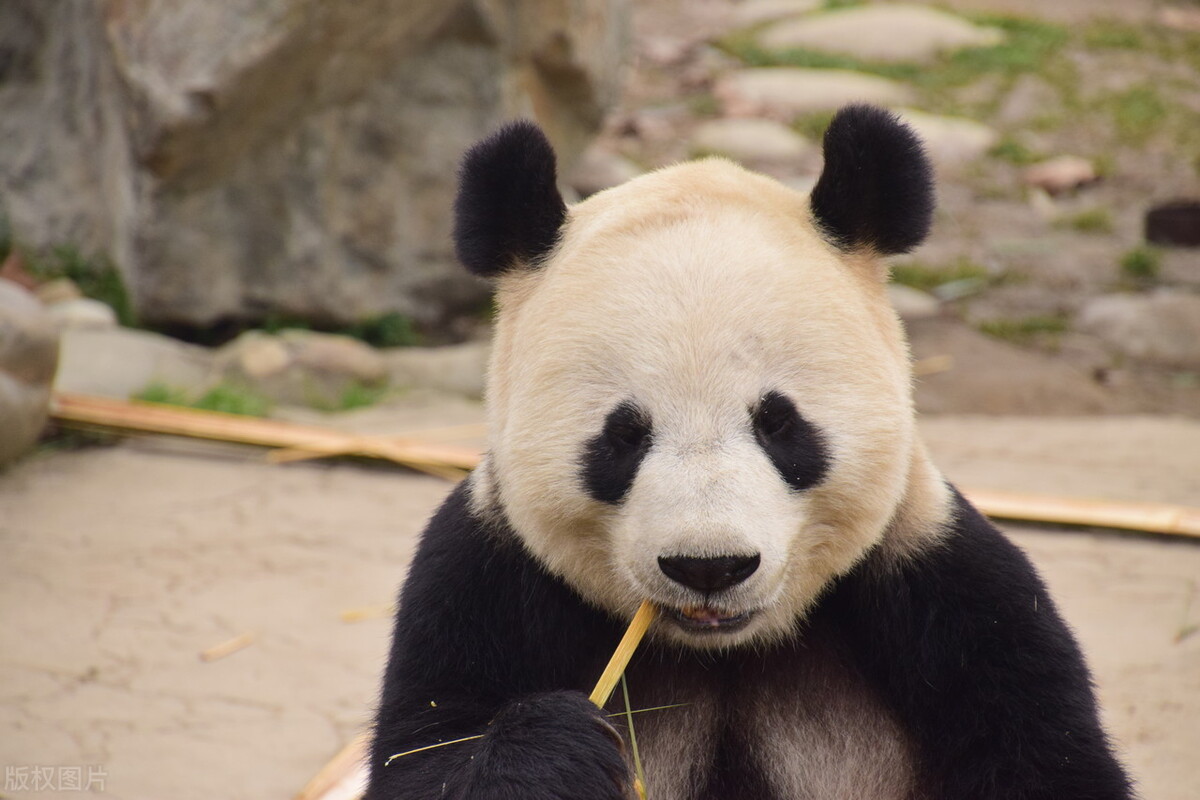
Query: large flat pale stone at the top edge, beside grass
x,y
892,33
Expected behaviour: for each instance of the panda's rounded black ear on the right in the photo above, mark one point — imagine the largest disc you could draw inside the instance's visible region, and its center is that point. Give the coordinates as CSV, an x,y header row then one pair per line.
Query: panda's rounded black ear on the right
x,y
877,190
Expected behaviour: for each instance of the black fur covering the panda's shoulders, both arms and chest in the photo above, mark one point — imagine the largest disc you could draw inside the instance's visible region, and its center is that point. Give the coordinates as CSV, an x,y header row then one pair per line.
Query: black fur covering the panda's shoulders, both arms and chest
x,y
963,645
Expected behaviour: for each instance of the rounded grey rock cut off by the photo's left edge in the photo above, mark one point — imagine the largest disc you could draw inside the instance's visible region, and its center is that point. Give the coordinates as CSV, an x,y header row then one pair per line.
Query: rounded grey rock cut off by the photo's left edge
x,y
29,353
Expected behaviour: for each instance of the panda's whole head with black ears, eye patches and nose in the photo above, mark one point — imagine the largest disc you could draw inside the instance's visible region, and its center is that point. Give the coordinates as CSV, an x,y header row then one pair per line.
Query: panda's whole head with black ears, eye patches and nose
x,y
699,393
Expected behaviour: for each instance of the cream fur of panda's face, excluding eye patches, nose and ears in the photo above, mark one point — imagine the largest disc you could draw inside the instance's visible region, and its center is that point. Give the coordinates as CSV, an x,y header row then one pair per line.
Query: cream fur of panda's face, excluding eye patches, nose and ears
x,y
694,291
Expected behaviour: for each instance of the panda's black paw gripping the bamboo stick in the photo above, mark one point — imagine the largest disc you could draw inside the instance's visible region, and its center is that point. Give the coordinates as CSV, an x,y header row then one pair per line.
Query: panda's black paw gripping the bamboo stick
x,y
556,745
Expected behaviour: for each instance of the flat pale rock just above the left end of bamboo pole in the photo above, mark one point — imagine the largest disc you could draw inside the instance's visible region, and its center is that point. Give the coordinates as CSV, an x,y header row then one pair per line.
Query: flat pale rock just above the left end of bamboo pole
x,y
121,363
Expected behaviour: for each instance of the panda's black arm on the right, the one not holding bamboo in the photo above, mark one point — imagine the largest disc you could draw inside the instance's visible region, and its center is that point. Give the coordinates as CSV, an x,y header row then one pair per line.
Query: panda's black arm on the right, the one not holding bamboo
x,y
970,651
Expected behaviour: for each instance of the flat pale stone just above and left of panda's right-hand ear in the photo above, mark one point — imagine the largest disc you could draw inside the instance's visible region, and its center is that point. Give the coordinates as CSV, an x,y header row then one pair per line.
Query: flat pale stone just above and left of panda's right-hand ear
x,y
787,93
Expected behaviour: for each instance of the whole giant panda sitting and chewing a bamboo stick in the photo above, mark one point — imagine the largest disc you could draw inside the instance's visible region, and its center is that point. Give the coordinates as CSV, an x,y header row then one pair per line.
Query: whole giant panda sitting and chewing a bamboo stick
x,y
700,395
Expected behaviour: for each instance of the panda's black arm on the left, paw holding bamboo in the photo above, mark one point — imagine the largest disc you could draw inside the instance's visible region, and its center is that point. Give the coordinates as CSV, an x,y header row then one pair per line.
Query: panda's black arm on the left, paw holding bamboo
x,y
487,642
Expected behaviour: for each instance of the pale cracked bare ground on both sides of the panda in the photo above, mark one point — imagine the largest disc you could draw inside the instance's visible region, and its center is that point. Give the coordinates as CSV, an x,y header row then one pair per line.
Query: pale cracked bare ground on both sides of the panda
x,y
122,564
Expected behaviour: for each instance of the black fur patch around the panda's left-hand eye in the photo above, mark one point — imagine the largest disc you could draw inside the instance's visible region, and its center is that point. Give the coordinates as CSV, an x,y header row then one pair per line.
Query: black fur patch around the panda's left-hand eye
x,y
613,458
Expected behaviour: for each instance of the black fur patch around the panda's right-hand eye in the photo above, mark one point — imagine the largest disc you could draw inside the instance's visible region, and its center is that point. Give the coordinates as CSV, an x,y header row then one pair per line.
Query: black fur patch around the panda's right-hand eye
x,y
795,446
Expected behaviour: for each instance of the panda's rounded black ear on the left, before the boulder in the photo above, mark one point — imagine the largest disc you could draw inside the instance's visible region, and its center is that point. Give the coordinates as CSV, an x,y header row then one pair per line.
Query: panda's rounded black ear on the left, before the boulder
x,y
508,210
